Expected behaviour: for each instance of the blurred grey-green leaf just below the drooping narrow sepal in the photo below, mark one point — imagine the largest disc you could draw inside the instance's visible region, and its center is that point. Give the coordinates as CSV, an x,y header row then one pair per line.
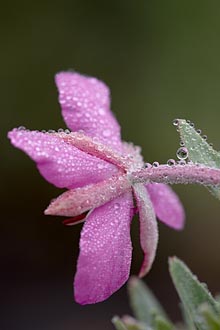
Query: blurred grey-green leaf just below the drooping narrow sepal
x,y
143,303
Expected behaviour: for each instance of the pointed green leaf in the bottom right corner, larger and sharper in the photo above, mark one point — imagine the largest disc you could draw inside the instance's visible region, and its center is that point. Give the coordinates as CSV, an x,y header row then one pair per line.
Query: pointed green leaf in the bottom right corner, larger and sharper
x,y
191,292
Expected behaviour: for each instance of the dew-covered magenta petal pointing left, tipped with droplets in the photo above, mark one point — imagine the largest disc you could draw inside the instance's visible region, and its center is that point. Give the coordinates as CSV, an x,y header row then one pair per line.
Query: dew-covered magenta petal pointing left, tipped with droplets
x,y
60,163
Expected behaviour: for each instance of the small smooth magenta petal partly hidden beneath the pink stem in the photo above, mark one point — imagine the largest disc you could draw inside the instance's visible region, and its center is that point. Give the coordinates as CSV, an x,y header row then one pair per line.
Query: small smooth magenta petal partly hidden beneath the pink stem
x,y
167,205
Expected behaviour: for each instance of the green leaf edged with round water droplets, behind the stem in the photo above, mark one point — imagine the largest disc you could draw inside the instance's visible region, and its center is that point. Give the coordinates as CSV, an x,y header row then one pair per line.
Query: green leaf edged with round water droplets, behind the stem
x,y
199,151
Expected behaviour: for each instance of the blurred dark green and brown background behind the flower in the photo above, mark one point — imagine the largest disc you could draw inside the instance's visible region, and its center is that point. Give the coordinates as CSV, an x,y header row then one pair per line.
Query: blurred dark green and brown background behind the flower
x,y
161,61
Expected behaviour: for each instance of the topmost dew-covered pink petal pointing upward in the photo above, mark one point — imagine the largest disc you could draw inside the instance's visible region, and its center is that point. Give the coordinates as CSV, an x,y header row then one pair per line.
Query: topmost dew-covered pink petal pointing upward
x,y
85,103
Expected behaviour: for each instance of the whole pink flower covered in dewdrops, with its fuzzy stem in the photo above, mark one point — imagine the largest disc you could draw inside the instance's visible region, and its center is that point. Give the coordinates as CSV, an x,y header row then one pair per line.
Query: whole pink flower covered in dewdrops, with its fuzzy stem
x,y
107,184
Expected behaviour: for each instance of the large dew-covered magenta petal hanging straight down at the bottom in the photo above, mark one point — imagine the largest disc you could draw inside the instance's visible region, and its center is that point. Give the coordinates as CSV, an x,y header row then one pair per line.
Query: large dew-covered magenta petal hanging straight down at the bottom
x,y
105,251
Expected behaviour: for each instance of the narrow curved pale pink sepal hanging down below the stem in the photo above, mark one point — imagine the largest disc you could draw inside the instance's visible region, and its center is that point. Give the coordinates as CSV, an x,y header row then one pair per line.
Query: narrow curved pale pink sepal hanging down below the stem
x,y
148,227
